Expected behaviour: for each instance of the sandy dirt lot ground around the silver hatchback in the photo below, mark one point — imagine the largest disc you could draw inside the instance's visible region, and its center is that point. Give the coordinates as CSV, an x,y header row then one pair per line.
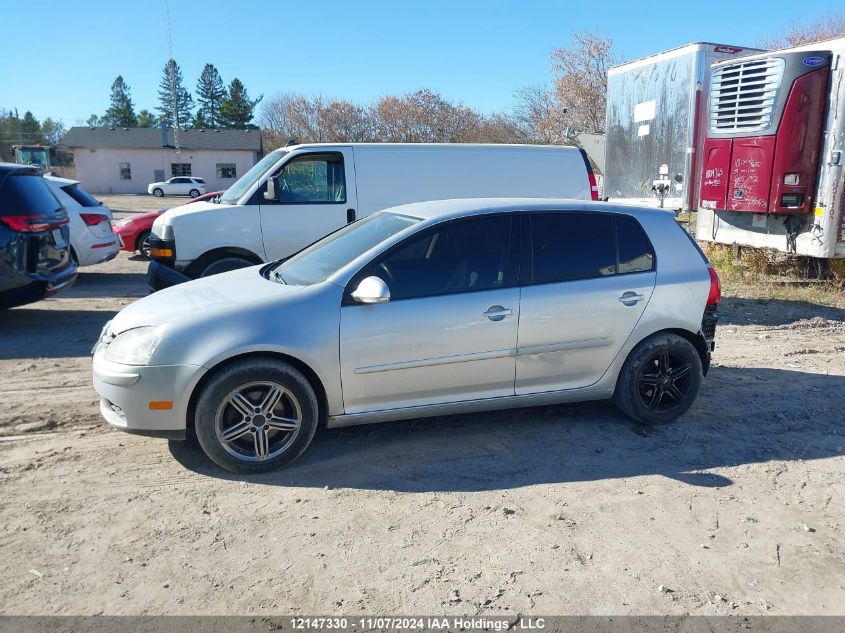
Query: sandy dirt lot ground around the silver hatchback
x,y
737,508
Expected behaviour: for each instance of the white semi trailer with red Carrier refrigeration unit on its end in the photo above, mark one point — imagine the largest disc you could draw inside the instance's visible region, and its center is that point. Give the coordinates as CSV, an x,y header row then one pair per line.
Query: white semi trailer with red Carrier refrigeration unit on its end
x,y
772,167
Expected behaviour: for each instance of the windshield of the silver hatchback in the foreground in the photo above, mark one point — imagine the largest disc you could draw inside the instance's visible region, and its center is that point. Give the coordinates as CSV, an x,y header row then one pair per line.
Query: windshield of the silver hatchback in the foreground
x,y
322,259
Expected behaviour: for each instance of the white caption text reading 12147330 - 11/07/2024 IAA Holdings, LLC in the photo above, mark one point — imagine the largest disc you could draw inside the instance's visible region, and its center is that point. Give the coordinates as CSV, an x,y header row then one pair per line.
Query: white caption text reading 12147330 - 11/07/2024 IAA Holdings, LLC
x,y
456,623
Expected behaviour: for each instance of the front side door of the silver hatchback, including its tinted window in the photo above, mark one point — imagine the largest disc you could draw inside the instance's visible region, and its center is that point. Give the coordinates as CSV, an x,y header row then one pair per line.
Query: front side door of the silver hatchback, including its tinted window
x,y
448,332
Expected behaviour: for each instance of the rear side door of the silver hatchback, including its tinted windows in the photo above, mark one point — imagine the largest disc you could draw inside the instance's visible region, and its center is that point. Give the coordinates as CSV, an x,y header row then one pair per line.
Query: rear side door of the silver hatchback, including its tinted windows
x,y
586,281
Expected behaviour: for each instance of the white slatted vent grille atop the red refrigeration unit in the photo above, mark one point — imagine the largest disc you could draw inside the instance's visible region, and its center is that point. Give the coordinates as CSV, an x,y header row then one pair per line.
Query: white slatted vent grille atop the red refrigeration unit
x,y
743,95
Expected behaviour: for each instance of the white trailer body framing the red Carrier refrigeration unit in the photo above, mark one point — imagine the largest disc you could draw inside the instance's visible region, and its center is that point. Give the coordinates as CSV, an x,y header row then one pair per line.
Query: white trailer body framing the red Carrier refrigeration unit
x,y
818,234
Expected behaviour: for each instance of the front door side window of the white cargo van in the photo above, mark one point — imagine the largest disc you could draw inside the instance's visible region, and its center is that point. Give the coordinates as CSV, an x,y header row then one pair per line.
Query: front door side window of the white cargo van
x,y
313,178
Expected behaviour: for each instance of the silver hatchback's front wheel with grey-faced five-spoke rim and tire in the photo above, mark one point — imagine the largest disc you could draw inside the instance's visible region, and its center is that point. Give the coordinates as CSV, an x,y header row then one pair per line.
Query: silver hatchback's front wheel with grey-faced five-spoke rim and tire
x,y
254,446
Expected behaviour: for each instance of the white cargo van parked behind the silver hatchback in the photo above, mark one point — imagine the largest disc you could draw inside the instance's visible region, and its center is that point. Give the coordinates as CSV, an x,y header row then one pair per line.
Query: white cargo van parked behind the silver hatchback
x,y
299,193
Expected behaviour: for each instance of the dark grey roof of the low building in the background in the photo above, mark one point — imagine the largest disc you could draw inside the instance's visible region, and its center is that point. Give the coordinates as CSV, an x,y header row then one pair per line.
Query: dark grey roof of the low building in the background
x,y
151,138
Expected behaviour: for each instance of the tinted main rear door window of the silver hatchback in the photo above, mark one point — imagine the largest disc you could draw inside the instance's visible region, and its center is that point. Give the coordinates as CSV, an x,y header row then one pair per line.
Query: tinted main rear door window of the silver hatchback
x,y
571,246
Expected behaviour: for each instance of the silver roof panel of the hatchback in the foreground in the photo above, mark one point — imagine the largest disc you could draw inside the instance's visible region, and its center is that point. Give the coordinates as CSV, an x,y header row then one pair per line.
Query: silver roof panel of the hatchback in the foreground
x,y
444,209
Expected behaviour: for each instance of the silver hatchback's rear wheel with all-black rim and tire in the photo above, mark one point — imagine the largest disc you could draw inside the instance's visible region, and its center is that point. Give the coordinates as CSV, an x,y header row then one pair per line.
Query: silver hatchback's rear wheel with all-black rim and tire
x,y
649,394
